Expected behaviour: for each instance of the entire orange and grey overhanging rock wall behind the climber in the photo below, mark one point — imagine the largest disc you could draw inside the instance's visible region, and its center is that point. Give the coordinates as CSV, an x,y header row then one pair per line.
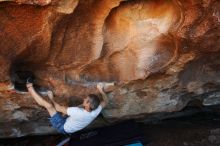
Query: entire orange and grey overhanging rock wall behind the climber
x,y
161,55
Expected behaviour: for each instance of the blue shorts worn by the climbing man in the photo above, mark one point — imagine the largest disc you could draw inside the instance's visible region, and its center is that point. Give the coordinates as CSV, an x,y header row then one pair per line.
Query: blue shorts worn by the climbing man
x,y
57,122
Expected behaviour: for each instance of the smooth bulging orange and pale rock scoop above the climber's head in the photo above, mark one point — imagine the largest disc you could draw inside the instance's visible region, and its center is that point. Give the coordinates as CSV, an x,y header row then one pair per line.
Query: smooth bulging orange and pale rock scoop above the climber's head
x,y
136,41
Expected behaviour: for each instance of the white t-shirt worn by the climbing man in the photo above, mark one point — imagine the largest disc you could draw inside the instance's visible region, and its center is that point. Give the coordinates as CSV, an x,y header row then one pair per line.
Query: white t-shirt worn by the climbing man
x,y
79,118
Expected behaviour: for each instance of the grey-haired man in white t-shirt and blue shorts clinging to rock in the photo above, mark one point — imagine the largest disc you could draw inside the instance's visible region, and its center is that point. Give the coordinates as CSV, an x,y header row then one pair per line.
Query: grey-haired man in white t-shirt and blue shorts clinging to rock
x,y
78,117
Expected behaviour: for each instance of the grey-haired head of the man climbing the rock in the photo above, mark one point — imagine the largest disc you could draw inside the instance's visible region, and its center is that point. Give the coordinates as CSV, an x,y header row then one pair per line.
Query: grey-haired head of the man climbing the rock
x,y
91,102
